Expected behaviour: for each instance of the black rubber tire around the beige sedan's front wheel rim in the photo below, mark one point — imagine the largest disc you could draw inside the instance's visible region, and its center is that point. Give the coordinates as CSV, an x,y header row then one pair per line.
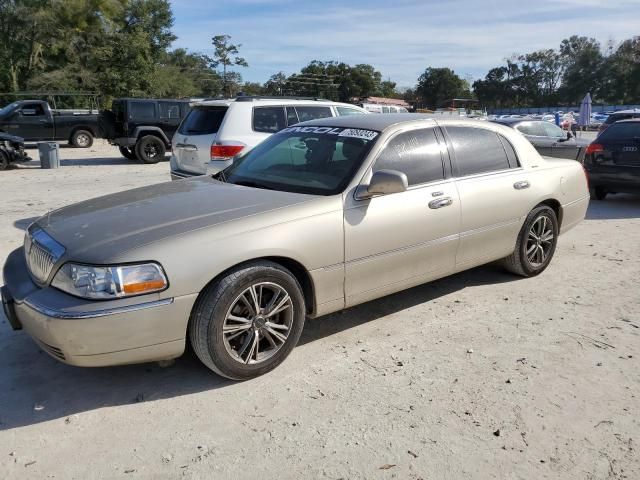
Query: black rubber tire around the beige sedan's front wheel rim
x,y
220,299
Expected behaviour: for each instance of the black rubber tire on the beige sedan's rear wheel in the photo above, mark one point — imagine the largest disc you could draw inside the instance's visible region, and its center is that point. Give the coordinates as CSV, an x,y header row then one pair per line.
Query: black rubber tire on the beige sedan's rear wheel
x,y
519,262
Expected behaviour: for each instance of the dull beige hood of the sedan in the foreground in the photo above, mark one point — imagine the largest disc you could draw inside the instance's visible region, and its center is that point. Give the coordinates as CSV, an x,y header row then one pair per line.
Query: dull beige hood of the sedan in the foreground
x,y
99,229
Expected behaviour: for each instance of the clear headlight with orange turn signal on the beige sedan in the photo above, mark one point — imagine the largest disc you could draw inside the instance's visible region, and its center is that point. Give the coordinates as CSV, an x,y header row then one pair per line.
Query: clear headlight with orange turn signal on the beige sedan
x,y
103,283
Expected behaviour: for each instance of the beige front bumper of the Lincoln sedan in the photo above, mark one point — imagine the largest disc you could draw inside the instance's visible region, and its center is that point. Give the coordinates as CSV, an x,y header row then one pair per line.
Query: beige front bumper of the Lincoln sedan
x,y
95,333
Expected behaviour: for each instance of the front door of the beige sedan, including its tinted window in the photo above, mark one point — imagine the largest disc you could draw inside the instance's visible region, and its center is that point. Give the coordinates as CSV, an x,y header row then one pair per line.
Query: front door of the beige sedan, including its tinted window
x,y
399,240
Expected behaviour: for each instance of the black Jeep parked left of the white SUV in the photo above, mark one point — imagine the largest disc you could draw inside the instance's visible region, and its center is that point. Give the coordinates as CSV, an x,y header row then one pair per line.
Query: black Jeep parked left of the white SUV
x,y
142,128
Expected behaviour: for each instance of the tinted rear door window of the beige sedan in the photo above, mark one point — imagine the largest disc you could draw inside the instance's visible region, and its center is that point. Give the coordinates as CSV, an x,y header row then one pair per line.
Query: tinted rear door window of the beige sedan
x,y
477,150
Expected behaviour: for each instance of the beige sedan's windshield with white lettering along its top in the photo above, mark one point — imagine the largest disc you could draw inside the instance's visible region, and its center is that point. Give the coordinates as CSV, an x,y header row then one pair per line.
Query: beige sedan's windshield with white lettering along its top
x,y
312,160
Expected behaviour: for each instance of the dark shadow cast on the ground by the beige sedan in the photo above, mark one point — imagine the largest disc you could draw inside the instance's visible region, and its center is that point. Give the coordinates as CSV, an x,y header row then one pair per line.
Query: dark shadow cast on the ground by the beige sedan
x,y
35,388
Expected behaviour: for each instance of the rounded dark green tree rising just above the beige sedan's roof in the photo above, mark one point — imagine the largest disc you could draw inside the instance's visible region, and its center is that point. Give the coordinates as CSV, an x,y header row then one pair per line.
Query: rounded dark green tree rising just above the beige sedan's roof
x,y
436,85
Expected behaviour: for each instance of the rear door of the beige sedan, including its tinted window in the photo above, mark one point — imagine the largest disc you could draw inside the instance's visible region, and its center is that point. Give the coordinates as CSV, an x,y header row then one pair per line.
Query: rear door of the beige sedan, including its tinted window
x,y
493,192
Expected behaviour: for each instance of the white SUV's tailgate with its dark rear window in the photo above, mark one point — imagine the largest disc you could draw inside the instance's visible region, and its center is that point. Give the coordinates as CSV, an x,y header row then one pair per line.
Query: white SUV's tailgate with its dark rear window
x,y
193,139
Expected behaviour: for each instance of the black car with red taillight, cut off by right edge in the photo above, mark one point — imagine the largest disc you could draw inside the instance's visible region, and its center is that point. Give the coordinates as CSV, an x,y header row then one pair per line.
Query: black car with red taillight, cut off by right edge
x,y
612,161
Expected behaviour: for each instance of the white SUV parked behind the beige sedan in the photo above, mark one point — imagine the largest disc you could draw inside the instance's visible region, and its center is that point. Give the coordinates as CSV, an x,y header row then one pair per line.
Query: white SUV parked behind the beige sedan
x,y
221,129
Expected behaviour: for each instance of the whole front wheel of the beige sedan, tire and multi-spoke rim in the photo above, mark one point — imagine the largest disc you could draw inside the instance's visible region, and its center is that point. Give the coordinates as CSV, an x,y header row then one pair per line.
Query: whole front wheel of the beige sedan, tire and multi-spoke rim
x,y
247,322
